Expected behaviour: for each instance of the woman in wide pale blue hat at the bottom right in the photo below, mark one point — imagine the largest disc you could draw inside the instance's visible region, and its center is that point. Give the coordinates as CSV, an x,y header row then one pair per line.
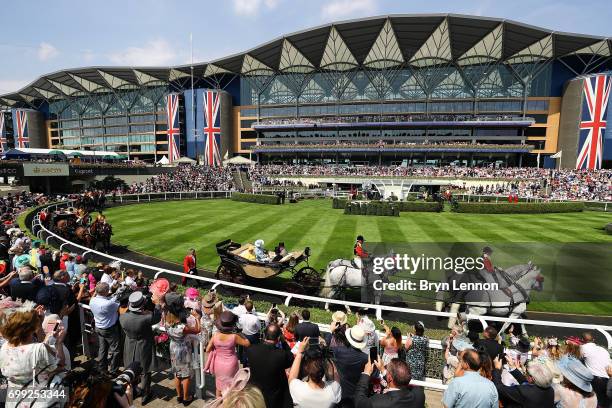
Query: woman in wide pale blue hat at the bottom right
x,y
575,391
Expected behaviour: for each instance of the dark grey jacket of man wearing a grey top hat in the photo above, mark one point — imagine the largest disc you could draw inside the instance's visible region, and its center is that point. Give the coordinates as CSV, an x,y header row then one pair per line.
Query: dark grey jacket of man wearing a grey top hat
x,y
139,342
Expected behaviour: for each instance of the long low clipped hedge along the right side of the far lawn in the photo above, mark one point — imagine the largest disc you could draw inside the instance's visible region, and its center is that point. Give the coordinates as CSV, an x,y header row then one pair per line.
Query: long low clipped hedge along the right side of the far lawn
x,y
517,208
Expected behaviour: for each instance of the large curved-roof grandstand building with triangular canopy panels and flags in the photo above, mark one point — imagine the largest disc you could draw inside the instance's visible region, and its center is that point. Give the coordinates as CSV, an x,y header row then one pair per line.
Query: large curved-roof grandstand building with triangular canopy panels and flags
x,y
412,89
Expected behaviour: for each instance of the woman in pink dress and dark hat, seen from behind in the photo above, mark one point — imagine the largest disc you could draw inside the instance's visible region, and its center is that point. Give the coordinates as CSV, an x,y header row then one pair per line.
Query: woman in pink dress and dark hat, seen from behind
x,y
222,358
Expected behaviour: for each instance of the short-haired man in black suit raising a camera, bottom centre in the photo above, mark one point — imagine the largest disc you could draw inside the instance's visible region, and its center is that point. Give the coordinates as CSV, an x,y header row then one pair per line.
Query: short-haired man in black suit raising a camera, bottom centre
x,y
399,393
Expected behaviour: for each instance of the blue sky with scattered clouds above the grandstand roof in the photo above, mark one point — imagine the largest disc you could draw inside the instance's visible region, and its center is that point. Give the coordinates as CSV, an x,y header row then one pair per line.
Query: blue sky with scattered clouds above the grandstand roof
x,y
39,37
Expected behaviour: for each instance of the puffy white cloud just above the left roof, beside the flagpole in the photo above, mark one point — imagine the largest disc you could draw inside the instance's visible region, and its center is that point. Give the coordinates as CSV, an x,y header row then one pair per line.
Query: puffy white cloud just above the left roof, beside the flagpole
x,y
154,52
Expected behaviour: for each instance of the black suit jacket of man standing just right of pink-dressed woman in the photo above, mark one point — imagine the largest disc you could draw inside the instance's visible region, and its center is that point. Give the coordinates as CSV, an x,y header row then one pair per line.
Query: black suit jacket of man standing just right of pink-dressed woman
x,y
268,365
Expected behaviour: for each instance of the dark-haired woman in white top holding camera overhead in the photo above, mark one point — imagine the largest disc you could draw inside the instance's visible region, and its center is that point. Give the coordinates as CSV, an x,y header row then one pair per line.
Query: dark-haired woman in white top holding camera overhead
x,y
317,391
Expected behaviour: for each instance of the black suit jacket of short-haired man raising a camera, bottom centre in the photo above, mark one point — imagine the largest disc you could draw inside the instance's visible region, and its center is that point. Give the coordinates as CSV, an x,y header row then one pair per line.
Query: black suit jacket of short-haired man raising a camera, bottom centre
x,y
409,397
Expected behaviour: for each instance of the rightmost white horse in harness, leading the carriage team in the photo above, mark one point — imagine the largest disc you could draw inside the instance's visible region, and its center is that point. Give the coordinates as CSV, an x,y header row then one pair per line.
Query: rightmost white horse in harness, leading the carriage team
x,y
511,301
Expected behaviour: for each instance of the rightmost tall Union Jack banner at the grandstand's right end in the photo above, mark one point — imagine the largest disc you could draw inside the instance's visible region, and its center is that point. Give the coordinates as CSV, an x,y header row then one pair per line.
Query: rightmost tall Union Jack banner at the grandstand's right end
x,y
593,121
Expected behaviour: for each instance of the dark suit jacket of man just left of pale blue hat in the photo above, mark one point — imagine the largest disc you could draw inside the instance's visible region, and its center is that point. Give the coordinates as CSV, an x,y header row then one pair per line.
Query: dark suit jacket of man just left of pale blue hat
x,y
524,395
